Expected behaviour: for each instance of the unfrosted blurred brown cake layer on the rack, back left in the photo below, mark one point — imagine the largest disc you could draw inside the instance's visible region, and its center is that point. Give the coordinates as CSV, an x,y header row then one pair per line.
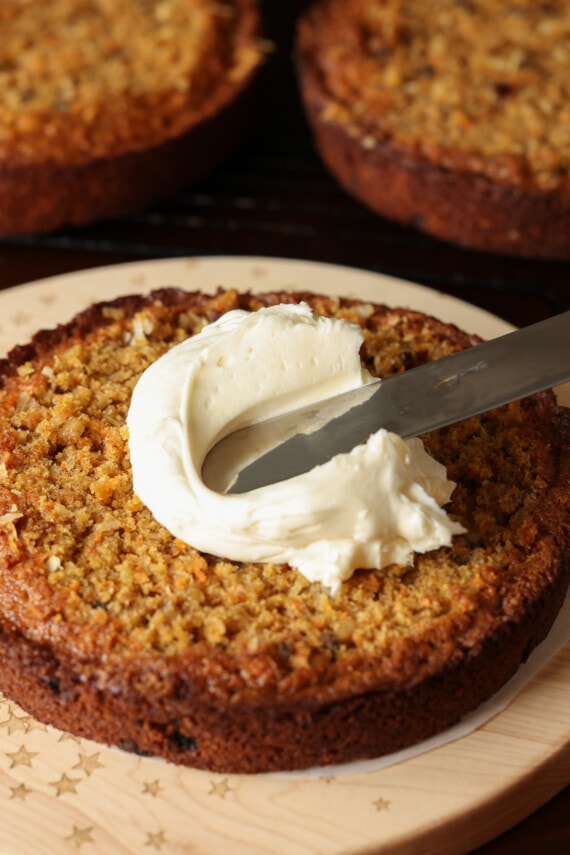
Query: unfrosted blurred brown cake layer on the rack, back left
x,y
103,120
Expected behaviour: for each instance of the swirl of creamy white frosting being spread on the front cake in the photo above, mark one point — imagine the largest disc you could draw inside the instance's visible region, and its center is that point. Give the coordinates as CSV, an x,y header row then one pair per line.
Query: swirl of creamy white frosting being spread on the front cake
x,y
372,507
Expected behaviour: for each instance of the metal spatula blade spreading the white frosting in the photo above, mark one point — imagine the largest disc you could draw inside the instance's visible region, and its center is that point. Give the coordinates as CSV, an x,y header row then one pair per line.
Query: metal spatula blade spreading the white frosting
x,y
431,396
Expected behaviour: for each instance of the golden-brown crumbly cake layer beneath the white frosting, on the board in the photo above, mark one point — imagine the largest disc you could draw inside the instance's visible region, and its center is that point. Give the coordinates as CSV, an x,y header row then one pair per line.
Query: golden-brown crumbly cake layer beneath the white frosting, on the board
x,y
113,629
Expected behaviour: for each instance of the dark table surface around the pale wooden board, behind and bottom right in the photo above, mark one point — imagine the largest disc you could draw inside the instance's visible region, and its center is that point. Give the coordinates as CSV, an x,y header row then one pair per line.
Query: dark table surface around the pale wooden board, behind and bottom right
x,y
274,198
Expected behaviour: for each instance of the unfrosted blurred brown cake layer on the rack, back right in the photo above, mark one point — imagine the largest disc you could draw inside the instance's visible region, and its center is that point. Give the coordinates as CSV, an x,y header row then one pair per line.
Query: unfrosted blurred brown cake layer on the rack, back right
x,y
435,115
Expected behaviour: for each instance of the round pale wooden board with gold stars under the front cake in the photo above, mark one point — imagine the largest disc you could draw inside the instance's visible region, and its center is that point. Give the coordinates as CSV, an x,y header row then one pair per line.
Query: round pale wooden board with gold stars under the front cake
x,y
60,794
